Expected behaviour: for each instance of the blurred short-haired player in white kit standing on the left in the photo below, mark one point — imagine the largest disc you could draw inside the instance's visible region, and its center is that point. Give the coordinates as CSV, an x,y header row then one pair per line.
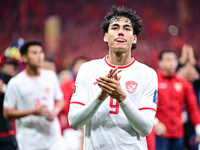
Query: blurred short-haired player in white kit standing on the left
x,y
34,99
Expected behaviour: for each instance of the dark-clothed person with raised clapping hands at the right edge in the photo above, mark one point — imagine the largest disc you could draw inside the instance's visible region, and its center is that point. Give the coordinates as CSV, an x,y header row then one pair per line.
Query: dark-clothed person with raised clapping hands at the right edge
x,y
189,70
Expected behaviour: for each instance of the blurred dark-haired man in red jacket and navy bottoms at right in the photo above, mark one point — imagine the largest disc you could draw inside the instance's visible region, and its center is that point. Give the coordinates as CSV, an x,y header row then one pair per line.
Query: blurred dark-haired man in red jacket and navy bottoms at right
x,y
173,92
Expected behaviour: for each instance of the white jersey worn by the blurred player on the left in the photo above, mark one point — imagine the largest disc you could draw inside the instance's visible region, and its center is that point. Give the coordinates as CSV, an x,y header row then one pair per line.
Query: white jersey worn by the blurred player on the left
x,y
24,93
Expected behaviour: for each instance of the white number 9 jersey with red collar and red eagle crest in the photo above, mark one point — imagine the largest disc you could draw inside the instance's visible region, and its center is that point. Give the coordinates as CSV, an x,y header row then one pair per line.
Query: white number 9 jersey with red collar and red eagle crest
x,y
109,128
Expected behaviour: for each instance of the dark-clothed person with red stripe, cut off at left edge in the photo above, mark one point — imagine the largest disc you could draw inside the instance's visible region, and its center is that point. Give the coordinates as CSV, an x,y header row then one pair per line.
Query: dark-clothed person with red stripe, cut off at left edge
x,y
7,133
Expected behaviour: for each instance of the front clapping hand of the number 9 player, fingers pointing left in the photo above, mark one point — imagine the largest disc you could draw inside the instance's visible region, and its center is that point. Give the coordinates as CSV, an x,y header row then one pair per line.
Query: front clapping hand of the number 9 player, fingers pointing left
x,y
112,86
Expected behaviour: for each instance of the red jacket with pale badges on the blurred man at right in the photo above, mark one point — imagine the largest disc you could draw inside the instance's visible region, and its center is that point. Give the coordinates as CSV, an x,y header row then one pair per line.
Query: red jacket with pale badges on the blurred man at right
x,y
173,93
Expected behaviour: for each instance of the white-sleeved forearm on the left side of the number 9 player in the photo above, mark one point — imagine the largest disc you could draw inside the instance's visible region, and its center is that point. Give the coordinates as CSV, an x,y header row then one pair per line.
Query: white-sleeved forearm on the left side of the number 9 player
x,y
80,115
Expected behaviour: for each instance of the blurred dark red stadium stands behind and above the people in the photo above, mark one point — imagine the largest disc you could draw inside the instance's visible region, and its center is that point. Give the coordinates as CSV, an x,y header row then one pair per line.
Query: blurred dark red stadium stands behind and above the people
x,y
71,28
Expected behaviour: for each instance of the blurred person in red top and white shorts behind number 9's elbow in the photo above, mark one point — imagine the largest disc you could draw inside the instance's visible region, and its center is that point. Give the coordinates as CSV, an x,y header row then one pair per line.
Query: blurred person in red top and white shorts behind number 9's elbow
x,y
73,139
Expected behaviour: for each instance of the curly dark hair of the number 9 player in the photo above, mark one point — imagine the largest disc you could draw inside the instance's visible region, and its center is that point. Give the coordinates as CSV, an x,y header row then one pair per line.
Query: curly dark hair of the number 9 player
x,y
116,12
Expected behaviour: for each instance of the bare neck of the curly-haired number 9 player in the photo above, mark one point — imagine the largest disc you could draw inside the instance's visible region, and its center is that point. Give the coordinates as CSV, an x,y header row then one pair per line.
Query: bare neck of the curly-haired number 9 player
x,y
119,59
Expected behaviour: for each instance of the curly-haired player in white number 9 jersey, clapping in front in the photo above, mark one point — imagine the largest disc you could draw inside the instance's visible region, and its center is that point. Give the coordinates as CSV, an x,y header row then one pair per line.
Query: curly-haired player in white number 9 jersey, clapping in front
x,y
115,97
